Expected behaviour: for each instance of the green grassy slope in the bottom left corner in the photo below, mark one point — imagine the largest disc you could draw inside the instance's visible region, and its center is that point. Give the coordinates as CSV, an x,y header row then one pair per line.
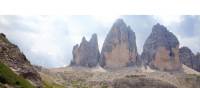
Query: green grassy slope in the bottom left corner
x,y
7,76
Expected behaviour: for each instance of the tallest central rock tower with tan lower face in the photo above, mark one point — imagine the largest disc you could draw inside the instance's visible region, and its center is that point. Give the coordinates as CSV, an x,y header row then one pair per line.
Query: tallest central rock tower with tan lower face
x,y
119,48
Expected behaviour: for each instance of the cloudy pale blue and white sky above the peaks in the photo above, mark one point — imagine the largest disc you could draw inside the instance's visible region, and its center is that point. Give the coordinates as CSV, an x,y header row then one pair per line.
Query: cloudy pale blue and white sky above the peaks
x,y
48,40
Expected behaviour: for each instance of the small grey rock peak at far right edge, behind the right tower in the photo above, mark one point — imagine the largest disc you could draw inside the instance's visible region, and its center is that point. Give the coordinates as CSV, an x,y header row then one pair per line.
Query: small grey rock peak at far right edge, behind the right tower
x,y
188,58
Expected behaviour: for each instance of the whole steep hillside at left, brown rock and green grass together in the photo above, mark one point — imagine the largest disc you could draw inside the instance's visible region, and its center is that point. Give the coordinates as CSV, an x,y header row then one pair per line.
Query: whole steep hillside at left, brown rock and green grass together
x,y
14,59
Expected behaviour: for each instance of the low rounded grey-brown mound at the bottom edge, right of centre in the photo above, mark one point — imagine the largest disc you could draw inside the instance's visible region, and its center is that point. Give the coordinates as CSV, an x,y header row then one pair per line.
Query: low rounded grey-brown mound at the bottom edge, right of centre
x,y
141,82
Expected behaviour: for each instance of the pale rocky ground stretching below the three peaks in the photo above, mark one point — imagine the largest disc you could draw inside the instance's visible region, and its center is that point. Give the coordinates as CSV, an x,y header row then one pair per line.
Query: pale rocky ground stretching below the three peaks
x,y
79,77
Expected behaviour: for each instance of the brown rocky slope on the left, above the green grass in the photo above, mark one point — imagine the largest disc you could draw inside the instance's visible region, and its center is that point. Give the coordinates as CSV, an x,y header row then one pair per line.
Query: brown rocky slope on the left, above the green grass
x,y
11,56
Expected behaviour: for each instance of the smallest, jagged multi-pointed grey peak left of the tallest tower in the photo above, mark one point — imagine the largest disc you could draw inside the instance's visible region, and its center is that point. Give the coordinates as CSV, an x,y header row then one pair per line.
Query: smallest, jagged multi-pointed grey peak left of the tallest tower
x,y
87,54
